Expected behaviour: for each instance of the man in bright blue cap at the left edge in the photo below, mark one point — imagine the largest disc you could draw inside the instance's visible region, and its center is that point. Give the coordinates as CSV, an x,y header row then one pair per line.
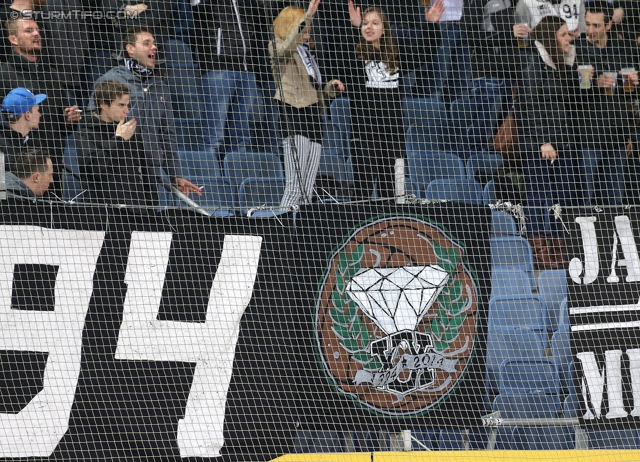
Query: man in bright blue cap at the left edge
x,y
21,115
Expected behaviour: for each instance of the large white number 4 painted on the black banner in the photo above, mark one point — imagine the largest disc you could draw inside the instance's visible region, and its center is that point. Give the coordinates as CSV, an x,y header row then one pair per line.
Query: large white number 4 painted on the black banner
x,y
210,345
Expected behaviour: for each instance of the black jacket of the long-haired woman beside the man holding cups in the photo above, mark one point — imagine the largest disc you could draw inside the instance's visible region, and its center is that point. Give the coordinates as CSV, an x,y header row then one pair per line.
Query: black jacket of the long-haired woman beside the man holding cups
x,y
546,108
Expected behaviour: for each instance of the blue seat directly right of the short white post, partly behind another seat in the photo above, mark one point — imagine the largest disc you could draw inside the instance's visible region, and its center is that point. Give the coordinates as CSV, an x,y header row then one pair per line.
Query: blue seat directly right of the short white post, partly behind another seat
x,y
424,167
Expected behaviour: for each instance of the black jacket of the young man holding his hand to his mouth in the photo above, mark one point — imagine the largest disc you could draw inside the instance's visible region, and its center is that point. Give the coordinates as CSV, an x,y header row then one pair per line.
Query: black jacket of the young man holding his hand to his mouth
x,y
113,170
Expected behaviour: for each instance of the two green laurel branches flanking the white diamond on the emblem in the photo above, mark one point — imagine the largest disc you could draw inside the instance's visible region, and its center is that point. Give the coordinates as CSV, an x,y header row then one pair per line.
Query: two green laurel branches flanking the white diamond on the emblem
x,y
354,334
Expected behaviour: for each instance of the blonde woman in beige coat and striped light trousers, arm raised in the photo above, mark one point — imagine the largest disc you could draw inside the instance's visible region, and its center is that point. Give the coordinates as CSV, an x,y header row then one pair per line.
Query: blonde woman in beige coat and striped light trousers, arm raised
x,y
300,94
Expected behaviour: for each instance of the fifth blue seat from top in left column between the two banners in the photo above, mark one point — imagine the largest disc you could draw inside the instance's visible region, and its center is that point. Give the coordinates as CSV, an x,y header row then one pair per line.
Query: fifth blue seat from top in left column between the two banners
x,y
507,343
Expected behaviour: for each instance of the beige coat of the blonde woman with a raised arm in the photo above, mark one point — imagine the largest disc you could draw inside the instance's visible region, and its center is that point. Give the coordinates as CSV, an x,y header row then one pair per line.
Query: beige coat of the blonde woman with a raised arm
x,y
289,71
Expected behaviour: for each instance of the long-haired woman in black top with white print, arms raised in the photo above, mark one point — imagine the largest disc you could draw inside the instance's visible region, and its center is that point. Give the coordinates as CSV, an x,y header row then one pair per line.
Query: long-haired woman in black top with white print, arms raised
x,y
373,78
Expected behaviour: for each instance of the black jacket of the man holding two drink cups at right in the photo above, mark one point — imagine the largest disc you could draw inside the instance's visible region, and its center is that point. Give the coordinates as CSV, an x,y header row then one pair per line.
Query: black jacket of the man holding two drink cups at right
x,y
606,120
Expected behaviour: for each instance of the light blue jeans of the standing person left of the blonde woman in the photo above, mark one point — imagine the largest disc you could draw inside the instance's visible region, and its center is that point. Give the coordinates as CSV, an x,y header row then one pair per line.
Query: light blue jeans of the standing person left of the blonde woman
x,y
230,98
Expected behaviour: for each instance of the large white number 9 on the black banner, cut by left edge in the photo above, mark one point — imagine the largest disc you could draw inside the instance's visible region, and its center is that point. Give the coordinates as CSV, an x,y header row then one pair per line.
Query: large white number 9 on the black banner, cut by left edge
x,y
37,429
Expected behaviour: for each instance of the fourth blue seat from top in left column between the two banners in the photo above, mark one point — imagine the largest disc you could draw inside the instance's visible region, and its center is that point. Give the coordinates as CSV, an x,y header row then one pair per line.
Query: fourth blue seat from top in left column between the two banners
x,y
517,311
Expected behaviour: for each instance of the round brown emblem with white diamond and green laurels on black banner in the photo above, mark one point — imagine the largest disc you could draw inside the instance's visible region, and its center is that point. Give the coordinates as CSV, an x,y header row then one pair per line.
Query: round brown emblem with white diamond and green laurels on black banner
x,y
396,316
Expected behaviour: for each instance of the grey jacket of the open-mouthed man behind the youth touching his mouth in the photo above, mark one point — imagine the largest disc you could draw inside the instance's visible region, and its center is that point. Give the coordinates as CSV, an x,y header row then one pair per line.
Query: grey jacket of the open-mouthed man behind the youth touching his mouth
x,y
151,107
